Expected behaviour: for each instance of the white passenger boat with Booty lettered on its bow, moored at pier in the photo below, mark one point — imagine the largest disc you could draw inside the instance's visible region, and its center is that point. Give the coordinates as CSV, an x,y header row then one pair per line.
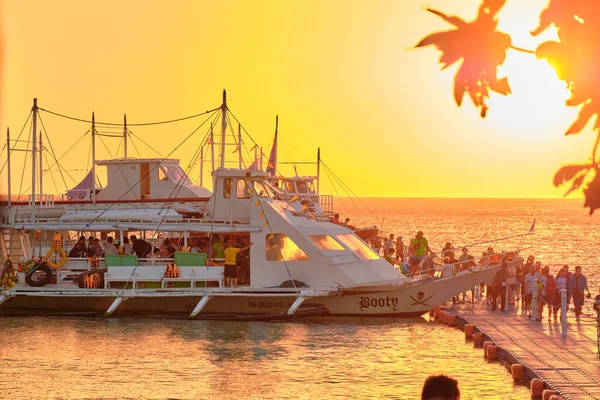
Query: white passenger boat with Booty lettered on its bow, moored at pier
x,y
300,263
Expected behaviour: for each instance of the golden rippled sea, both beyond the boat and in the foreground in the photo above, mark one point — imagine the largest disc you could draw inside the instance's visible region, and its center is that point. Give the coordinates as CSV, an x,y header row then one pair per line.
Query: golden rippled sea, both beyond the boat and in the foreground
x,y
359,358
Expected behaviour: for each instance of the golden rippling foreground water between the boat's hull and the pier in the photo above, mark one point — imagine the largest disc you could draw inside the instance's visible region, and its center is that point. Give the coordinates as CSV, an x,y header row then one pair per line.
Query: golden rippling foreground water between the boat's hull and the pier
x,y
308,359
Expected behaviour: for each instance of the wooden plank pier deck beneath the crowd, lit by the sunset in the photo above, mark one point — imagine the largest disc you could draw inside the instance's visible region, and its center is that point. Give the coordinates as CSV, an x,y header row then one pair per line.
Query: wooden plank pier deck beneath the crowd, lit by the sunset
x,y
569,365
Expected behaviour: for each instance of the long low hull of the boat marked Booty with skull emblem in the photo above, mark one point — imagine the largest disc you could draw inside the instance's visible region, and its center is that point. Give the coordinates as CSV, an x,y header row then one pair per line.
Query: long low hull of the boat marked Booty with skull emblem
x,y
408,300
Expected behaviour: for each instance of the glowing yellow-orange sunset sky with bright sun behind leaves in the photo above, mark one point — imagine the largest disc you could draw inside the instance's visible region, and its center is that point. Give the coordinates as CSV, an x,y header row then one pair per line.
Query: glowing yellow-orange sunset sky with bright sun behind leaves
x,y
340,75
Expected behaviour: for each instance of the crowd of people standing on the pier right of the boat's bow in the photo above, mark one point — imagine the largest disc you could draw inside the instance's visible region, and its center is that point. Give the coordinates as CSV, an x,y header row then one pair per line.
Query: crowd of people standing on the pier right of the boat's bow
x,y
521,282
